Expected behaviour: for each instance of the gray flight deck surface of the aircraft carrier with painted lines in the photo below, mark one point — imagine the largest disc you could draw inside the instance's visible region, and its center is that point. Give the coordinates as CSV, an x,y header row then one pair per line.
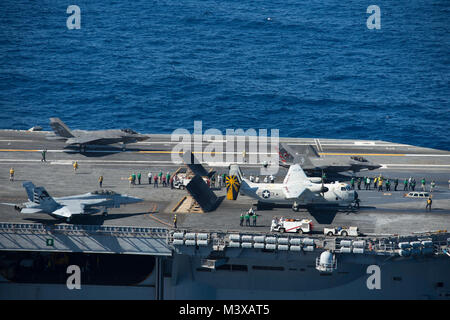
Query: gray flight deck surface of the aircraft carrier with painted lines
x,y
380,212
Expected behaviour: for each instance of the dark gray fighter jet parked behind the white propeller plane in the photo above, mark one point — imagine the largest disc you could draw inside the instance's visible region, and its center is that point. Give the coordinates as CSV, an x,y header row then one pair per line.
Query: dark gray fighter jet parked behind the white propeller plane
x,y
313,164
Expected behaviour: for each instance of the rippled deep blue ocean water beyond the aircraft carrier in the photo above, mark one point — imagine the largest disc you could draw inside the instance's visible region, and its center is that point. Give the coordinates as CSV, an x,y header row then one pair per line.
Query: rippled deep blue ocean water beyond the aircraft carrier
x,y
307,68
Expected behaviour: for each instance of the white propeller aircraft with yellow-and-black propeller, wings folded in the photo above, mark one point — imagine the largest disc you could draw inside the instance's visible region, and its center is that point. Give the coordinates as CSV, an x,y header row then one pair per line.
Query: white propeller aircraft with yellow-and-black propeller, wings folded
x,y
297,189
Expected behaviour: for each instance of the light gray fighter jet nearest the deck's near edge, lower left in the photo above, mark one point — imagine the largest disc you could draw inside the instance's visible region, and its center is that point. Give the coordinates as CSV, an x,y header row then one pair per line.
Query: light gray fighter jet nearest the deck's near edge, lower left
x,y
67,207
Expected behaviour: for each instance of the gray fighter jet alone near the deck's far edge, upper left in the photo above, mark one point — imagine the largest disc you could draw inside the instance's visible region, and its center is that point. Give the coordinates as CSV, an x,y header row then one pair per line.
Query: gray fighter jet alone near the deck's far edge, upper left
x,y
97,137
